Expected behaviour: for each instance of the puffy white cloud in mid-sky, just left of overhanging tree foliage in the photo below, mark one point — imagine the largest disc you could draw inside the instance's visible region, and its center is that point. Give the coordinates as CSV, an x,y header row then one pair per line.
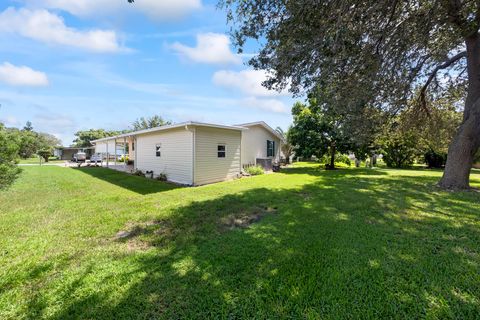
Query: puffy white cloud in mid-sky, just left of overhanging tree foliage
x,y
213,48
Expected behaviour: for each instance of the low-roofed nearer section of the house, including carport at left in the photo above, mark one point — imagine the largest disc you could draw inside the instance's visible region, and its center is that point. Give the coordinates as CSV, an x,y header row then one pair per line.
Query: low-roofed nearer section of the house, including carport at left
x,y
190,153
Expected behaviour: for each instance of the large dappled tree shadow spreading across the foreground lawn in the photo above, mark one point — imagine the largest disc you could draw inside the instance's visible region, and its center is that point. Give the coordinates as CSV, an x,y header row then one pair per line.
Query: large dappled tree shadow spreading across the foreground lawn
x,y
336,248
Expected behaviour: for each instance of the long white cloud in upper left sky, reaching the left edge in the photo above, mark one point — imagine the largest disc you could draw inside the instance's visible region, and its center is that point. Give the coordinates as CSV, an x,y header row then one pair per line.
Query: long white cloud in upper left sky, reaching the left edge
x,y
48,27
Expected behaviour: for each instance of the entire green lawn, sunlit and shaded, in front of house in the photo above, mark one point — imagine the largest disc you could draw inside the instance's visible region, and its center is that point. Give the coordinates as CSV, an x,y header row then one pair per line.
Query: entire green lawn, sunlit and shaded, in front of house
x,y
351,243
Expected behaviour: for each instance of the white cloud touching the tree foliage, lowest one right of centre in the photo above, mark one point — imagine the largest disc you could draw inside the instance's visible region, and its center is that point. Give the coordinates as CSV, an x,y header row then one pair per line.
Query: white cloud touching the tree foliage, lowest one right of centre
x,y
246,81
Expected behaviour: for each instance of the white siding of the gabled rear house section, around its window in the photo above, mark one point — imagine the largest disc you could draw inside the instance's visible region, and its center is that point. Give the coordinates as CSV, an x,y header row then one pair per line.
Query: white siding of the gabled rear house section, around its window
x,y
254,144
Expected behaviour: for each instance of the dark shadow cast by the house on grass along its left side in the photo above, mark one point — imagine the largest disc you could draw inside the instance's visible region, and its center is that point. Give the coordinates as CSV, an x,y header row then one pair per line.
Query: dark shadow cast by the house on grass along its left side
x,y
140,185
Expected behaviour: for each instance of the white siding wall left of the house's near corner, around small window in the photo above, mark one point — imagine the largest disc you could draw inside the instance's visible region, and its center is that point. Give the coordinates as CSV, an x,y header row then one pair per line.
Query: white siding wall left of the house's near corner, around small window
x,y
176,154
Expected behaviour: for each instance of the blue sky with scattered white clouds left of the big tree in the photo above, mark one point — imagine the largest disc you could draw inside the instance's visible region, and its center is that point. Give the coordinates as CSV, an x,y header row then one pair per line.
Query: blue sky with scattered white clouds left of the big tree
x,y
69,65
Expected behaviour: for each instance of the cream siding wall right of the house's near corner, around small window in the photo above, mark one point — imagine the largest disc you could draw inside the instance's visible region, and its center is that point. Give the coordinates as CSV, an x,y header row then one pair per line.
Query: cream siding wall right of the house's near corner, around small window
x,y
208,167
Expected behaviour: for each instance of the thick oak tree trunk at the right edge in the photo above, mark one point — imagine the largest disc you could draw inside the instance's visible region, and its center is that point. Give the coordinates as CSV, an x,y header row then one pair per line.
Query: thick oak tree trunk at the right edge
x,y
467,139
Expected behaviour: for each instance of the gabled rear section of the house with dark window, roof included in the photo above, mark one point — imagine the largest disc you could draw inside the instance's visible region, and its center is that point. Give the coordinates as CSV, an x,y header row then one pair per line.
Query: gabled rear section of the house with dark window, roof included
x,y
260,144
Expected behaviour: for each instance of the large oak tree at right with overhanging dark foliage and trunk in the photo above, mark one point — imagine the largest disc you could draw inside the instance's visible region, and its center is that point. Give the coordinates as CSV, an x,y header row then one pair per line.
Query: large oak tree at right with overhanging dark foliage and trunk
x,y
375,53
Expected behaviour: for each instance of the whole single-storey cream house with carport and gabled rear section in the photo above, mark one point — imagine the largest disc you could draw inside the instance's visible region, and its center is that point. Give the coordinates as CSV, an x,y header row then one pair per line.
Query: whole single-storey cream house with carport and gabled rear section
x,y
195,153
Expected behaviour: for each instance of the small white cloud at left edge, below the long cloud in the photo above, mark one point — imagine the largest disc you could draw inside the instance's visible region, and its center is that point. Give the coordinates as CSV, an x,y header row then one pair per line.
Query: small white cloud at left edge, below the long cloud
x,y
21,76
